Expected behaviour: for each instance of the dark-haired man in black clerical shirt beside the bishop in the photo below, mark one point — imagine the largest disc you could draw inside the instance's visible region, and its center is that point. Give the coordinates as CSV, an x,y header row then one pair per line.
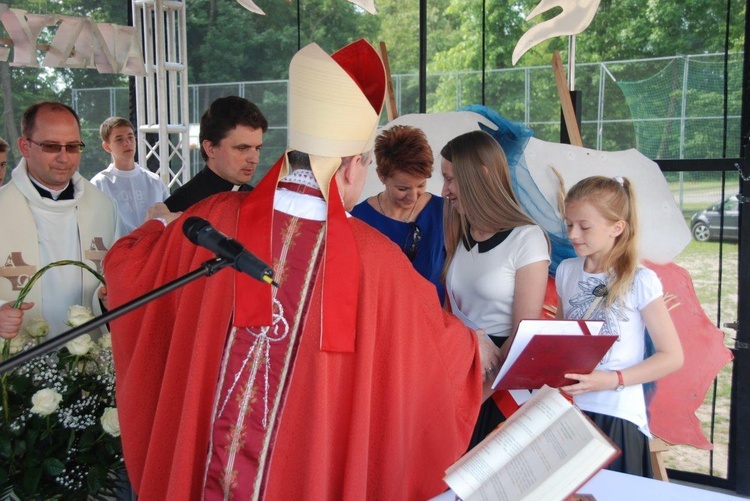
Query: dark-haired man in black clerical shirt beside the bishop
x,y
231,136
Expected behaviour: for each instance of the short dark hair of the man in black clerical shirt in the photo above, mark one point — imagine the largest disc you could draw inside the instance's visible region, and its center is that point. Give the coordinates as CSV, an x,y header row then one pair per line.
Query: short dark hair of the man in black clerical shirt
x,y
226,113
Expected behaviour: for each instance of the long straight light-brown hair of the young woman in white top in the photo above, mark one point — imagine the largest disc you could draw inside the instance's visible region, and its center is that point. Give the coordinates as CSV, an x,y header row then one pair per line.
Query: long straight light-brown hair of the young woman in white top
x,y
485,190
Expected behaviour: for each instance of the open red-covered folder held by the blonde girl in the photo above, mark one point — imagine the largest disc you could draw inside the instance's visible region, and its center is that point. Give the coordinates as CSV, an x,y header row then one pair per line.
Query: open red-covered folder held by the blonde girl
x,y
544,350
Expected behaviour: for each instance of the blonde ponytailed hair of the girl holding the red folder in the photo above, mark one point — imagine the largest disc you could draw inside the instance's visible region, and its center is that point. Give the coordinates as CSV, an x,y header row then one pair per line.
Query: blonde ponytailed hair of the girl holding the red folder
x,y
614,200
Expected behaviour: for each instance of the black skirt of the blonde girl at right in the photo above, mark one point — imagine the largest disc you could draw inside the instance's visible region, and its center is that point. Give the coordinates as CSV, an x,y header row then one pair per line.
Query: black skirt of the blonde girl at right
x,y
636,456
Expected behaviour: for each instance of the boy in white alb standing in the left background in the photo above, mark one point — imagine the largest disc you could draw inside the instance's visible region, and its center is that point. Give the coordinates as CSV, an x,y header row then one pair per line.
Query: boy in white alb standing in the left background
x,y
133,188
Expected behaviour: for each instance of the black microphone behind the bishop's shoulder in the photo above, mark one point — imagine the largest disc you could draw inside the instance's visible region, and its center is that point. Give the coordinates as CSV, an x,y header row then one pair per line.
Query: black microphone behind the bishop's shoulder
x,y
201,233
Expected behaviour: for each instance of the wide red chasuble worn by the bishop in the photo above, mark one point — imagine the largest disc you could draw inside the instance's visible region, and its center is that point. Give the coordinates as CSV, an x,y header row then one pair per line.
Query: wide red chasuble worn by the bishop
x,y
383,422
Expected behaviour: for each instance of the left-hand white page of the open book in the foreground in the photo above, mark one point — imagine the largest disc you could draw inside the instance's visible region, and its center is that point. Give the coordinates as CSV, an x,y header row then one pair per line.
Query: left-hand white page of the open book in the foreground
x,y
502,445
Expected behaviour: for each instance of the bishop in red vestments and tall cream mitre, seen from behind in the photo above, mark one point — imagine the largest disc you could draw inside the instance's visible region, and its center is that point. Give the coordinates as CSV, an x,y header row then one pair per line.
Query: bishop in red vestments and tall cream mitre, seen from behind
x,y
348,381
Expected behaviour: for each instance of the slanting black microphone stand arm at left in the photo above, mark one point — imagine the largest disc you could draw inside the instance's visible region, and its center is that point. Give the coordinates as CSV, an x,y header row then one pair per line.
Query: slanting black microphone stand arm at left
x,y
207,268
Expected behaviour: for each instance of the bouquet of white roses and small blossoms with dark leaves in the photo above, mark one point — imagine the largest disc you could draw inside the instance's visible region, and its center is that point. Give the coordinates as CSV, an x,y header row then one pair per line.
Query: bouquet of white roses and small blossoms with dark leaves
x,y
59,432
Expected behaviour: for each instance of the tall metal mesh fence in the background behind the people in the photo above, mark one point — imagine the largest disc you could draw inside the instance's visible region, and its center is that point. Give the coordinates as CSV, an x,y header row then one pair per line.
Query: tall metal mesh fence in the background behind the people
x,y
616,114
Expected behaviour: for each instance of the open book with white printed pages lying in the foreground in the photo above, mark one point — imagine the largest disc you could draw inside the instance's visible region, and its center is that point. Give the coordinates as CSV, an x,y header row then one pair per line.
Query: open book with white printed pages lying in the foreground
x,y
546,450
